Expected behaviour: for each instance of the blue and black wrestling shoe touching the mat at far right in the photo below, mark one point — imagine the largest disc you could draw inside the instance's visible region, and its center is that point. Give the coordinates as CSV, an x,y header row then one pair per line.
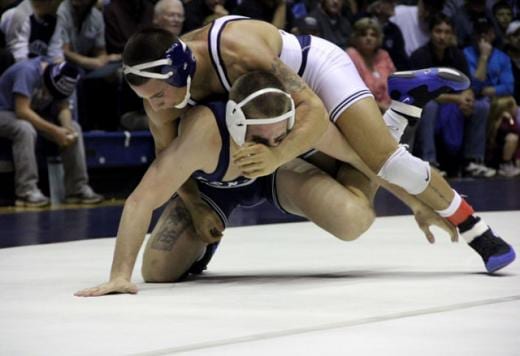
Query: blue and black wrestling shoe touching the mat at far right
x,y
495,252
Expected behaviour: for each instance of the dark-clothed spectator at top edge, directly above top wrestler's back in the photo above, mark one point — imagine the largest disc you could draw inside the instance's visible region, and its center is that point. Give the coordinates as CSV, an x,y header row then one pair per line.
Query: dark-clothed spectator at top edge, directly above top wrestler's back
x,y
272,11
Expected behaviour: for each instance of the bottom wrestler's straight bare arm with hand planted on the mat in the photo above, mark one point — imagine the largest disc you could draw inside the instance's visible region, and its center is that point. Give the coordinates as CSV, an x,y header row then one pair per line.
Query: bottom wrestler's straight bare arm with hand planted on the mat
x,y
197,148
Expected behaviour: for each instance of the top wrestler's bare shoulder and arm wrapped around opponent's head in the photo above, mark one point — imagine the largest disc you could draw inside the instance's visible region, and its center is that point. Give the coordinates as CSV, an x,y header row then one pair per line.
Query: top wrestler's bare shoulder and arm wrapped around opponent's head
x,y
253,45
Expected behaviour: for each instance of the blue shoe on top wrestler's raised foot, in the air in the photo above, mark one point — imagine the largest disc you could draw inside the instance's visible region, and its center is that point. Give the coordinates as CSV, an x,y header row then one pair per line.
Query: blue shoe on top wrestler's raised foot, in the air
x,y
417,87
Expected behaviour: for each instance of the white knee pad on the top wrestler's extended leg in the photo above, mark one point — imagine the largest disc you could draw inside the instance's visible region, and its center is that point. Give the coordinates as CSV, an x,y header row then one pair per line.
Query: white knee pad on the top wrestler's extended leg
x,y
406,171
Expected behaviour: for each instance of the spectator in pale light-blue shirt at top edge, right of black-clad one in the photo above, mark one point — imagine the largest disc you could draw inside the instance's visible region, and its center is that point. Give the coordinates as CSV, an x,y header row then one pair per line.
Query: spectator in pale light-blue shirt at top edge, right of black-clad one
x,y
413,22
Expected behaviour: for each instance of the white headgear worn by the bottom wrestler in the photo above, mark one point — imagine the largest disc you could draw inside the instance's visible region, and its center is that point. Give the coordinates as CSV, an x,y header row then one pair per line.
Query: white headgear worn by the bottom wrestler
x,y
236,120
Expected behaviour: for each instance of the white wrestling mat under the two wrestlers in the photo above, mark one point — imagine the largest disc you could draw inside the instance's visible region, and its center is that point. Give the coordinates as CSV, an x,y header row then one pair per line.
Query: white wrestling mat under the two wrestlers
x,y
287,289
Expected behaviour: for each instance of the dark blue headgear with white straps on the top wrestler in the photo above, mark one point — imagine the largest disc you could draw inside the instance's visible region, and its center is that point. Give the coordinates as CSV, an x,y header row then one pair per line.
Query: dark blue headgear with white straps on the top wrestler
x,y
178,66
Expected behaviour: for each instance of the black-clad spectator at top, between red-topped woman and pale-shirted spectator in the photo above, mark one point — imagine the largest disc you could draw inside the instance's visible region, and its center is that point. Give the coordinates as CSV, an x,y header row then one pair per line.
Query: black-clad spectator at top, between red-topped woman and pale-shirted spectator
x,y
393,41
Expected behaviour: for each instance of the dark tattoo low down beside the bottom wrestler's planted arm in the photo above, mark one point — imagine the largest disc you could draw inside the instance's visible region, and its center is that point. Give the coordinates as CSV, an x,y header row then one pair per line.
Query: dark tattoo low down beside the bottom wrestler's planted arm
x,y
175,225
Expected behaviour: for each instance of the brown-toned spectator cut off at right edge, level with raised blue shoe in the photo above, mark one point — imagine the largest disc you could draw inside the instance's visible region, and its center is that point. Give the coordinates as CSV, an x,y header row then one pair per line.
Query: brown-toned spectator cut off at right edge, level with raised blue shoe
x,y
503,133
